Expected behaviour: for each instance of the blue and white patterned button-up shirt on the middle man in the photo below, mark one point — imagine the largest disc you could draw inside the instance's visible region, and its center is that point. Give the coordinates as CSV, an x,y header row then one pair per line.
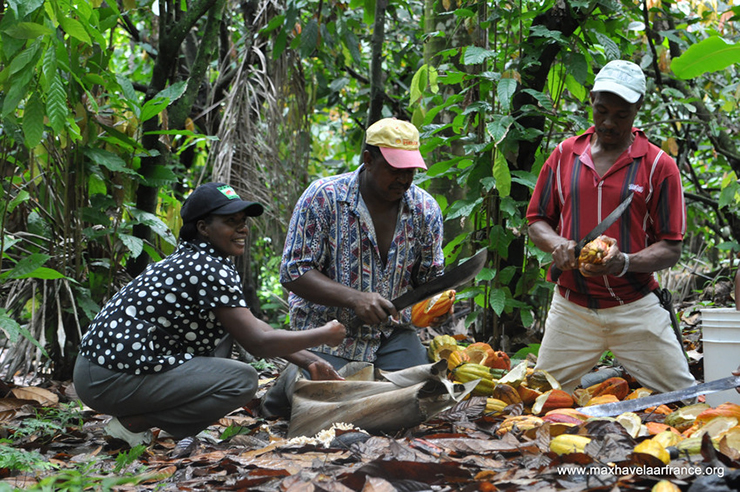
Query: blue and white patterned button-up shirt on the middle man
x,y
331,231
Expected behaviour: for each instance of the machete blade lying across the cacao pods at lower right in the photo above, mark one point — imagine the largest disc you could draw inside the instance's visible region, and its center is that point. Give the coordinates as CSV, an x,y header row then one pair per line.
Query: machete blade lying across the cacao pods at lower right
x,y
618,408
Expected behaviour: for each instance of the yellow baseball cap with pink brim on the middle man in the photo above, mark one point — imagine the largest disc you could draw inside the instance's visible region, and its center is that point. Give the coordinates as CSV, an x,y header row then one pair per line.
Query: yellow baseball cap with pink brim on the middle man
x,y
398,141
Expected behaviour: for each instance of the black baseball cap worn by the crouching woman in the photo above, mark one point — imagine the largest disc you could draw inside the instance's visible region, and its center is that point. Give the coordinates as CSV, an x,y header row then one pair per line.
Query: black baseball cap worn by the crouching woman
x,y
219,199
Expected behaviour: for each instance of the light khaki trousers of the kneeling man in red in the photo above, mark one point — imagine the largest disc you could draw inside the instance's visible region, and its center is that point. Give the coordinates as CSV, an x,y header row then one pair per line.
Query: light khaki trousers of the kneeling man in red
x,y
639,334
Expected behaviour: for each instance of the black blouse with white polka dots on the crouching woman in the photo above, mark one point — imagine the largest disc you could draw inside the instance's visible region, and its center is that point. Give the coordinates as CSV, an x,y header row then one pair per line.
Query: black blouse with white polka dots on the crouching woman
x,y
164,317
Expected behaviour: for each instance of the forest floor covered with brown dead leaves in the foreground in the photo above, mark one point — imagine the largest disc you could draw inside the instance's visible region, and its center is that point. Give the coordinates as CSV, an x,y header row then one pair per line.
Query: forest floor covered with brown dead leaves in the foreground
x,y
51,442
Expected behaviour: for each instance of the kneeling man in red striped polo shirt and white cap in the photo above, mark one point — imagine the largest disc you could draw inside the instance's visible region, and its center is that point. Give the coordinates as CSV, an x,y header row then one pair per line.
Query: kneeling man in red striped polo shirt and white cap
x,y
610,306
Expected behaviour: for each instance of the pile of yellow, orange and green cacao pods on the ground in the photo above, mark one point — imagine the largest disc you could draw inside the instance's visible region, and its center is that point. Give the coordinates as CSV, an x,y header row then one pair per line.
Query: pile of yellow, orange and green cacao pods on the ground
x,y
524,399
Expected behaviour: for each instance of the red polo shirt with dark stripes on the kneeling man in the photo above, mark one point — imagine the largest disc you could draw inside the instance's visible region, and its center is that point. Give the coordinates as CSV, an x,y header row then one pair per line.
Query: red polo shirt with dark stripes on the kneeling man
x,y
573,199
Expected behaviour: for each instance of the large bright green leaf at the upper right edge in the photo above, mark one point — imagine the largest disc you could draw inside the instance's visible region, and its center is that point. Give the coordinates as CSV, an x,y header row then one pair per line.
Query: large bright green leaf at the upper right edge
x,y
709,55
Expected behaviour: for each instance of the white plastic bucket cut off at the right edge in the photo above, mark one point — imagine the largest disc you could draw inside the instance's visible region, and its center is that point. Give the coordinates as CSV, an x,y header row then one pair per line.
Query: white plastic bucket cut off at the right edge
x,y
721,340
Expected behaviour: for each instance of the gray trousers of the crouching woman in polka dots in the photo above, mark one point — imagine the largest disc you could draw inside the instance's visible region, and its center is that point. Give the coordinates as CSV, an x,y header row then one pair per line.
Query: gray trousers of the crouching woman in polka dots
x,y
182,401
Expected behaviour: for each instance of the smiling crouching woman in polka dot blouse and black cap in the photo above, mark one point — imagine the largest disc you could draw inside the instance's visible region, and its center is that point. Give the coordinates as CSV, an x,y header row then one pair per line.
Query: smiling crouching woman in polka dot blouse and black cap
x,y
158,353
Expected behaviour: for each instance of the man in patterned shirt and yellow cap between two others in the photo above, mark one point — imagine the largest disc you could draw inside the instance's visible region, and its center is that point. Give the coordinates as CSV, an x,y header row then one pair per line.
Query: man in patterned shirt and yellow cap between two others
x,y
358,240
